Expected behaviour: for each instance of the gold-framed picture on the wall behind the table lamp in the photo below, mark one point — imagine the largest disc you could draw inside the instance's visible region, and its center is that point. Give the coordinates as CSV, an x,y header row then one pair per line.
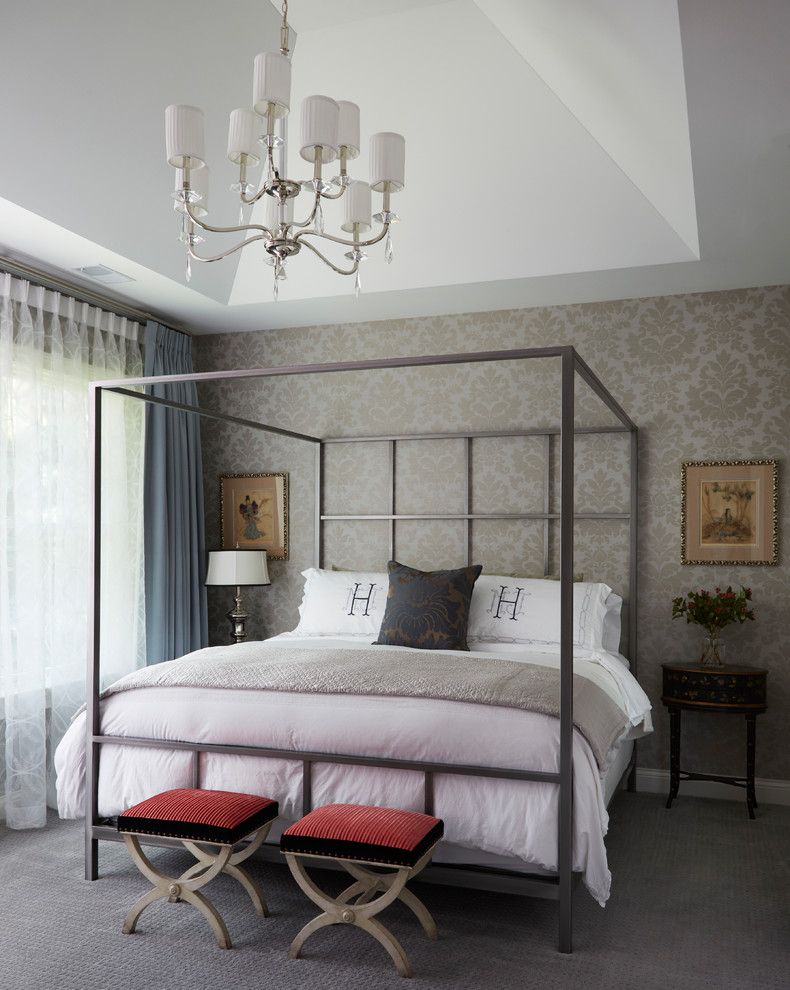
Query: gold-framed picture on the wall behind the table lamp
x,y
253,510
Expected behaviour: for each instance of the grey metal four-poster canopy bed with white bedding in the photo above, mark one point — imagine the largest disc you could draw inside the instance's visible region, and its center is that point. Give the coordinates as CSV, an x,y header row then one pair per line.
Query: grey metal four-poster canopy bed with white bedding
x,y
338,718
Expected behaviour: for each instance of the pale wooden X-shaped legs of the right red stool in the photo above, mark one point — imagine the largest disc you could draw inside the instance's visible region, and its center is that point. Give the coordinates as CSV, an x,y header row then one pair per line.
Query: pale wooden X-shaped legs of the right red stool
x,y
389,886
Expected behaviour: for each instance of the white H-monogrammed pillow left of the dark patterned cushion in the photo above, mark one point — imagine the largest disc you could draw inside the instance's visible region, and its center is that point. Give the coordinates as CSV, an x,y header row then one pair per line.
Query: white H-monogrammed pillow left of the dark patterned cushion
x,y
342,603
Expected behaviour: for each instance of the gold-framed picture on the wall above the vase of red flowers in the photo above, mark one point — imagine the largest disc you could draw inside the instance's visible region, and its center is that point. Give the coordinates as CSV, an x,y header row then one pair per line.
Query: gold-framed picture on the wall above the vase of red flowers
x,y
729,512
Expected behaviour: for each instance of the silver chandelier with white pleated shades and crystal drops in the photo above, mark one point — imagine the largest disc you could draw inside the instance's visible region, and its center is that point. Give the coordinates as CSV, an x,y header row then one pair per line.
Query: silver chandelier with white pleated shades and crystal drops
x,y
329,132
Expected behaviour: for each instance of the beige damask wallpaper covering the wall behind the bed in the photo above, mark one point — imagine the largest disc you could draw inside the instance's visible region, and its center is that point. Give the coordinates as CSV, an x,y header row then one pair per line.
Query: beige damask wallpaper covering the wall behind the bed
x,y
704,377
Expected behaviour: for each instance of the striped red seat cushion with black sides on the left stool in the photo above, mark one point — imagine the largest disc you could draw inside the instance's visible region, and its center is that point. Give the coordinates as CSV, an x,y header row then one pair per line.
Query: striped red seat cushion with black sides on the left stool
x,y
199,815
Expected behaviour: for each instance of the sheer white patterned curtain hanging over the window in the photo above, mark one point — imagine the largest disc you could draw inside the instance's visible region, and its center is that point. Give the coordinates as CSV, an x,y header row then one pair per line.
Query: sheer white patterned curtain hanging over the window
x,y
51,347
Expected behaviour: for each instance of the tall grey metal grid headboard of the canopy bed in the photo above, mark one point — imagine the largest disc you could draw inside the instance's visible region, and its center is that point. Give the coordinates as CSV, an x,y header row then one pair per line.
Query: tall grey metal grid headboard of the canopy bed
x,y
452,499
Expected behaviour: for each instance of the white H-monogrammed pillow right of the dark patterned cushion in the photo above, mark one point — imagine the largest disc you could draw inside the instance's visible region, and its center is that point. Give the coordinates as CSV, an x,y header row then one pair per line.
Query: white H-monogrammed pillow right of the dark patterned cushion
x,y
527,611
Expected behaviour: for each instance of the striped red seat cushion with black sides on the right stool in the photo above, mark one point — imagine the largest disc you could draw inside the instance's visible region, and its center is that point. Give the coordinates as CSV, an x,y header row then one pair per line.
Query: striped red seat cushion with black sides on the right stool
x,y
354,831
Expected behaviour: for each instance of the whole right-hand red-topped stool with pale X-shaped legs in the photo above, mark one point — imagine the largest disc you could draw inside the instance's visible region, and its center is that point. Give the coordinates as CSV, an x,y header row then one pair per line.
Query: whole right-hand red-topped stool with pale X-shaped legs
x,y
396,844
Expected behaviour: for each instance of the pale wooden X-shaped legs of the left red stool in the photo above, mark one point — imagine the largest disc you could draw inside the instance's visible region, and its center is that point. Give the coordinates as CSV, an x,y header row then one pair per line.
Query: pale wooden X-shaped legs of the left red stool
x,y
212,859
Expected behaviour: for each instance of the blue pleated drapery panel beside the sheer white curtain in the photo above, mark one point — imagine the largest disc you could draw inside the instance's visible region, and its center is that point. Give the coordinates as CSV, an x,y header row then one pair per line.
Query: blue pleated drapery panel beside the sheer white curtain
x,y
175,548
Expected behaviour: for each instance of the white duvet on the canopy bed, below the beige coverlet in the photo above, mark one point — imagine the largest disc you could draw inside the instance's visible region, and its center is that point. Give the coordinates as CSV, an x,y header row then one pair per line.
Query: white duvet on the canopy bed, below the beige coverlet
x,y
485,820
